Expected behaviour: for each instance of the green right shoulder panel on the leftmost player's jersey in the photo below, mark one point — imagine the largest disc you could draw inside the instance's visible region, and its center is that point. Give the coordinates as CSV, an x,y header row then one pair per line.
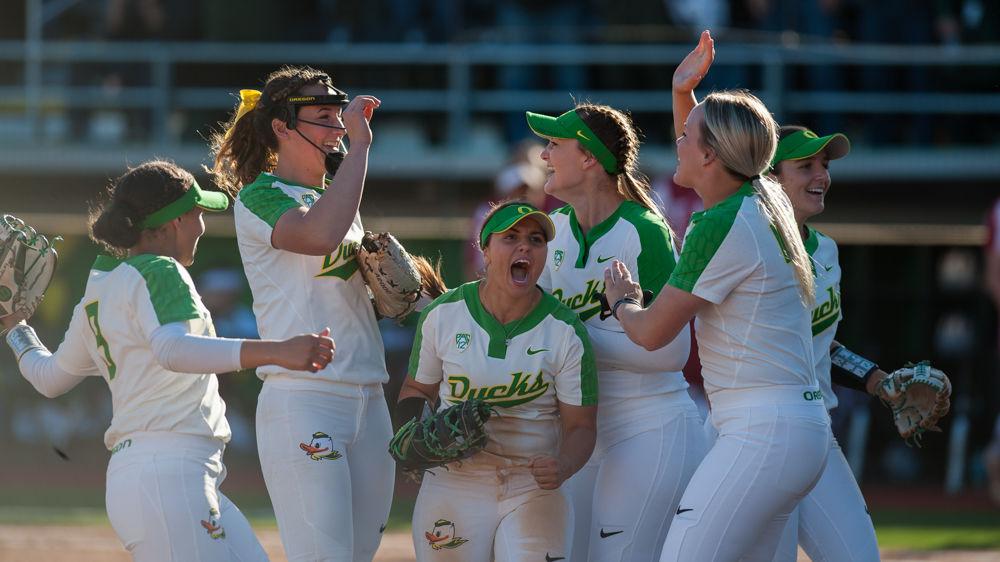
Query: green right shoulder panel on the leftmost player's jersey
x,y
173,298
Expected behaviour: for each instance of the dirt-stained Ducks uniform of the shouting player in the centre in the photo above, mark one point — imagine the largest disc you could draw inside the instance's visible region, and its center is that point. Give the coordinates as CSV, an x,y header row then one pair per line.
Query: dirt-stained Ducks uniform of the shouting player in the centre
x,y
489,505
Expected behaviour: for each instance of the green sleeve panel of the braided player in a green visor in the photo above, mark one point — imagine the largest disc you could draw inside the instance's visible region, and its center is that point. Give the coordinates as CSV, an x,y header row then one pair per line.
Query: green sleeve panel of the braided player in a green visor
x,y
656,257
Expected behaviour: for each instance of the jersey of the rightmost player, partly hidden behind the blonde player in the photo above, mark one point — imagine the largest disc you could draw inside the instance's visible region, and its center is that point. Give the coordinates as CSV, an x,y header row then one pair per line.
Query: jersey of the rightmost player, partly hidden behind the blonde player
x,y
826,313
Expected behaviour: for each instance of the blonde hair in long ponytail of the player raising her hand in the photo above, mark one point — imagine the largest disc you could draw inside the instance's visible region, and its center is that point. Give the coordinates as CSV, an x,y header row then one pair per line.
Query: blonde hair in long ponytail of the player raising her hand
x,y
744,136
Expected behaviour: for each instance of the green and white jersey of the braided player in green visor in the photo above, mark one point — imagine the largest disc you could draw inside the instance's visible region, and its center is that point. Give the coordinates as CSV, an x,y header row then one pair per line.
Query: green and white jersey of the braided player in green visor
x,y
574,274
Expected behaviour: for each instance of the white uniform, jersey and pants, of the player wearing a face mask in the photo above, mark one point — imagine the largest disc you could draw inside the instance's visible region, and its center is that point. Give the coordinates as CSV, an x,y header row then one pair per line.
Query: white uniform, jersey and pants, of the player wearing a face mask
x,y
322,437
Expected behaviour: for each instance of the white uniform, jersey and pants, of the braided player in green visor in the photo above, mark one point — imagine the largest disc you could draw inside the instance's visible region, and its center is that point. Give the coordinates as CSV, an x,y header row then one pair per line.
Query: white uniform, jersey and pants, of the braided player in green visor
x,y
649,429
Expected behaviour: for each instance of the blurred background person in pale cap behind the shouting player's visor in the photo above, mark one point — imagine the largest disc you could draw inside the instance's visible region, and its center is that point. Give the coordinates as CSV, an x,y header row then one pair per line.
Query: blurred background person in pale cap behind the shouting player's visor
x,y
522,178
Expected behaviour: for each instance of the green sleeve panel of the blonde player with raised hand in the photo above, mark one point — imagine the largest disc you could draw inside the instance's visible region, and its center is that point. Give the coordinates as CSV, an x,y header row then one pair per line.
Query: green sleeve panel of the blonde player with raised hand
x,y
708,230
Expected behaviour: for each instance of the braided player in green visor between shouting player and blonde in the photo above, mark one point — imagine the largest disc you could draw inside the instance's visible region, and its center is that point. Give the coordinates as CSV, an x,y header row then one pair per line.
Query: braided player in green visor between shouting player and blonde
x,y
649,430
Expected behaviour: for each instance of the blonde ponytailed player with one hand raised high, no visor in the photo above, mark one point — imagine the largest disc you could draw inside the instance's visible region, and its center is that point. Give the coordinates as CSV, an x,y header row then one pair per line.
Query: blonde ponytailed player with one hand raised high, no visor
x,y
745,274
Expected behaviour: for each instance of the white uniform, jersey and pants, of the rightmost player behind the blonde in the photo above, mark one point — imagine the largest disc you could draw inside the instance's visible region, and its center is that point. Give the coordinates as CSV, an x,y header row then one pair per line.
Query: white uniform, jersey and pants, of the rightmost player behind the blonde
x,y
832,523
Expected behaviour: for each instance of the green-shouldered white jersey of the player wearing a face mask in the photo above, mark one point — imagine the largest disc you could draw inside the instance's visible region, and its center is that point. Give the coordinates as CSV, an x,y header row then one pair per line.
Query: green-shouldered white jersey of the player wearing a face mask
x,y
295,293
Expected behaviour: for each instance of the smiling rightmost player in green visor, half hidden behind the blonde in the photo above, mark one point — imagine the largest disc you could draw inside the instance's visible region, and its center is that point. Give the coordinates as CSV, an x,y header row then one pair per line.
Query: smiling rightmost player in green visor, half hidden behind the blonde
x,y
832,522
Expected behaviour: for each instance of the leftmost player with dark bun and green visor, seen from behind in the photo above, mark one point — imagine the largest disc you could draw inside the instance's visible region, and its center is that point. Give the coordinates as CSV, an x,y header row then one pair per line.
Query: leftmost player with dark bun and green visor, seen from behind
x,y
142,326
